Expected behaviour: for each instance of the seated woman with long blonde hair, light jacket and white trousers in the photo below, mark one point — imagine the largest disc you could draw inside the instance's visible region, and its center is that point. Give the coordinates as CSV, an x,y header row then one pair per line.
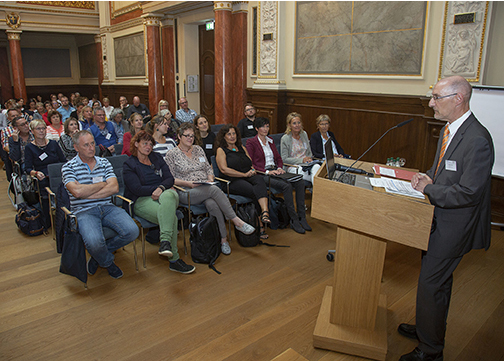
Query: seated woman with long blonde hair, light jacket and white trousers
x,y
295,148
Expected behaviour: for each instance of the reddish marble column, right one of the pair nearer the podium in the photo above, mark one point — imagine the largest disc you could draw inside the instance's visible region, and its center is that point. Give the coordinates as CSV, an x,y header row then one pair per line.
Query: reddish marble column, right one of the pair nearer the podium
x,y
239,25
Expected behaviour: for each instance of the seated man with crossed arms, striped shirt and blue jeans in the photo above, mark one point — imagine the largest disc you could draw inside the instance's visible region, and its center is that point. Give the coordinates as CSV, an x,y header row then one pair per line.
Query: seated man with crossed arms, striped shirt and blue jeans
x,y
90,182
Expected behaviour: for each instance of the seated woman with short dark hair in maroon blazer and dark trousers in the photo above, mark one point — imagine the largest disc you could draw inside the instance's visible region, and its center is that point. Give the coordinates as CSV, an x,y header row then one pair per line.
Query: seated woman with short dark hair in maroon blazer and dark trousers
x,y
265,158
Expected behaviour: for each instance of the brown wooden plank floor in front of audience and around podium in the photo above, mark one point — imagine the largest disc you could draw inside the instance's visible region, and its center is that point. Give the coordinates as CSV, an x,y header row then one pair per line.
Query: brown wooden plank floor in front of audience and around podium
x,y
265,301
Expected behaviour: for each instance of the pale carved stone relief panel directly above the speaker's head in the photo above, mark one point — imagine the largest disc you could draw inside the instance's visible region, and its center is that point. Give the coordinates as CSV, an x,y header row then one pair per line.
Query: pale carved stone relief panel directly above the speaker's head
x,y
462,49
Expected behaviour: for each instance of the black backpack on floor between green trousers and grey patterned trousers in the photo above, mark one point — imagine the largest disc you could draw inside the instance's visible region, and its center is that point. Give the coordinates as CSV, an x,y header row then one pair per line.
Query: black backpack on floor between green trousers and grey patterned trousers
x,y
205,241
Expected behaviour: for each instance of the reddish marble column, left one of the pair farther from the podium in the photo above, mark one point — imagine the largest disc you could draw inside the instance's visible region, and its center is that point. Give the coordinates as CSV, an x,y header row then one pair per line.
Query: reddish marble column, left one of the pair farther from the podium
x,y
152,23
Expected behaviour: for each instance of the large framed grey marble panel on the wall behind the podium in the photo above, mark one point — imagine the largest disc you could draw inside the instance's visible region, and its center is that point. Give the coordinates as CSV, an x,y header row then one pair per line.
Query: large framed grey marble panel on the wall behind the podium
x,y
365,37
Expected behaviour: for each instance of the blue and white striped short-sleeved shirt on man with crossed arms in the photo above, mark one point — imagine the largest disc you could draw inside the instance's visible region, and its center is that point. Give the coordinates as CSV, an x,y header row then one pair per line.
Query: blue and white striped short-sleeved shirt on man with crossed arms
x,y
76,170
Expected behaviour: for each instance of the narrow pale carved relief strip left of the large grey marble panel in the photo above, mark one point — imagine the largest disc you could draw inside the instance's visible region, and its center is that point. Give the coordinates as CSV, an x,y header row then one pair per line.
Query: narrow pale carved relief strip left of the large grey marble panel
x,y
268,57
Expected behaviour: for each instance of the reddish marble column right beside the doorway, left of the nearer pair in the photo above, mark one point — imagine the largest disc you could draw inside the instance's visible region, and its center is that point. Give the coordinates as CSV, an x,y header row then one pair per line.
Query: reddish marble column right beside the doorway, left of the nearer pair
x,y
223,63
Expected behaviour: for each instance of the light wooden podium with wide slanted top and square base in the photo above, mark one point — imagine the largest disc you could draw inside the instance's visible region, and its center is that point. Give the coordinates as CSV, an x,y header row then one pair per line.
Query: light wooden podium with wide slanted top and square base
x,y
353,315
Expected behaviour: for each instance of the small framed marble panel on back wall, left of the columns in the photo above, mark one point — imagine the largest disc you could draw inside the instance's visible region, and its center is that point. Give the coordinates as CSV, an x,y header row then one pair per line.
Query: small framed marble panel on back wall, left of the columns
x,y
129,55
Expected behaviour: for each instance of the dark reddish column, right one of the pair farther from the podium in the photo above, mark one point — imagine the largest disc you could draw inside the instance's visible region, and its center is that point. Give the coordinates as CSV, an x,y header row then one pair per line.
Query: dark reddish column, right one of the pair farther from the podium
x,y
168,43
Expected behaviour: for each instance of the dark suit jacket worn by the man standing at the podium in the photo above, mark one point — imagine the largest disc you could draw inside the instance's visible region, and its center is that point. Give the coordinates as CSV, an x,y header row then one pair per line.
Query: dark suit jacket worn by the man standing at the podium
x,y
462,197
